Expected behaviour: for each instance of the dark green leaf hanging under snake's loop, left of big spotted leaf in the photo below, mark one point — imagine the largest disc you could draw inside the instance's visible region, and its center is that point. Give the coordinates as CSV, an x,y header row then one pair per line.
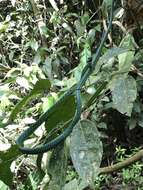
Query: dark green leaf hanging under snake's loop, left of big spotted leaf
x,y
57,167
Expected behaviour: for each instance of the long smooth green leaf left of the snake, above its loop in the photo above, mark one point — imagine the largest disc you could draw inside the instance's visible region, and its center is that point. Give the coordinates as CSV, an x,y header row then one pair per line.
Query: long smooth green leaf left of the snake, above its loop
x,y
39,87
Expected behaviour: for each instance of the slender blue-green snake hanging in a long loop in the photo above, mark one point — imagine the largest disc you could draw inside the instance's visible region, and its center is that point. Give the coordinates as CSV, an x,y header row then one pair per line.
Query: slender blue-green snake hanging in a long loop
x,y
76,89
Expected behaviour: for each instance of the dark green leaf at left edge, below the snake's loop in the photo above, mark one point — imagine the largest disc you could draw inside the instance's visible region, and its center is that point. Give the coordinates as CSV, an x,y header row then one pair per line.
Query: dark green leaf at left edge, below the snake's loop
x,y
6,158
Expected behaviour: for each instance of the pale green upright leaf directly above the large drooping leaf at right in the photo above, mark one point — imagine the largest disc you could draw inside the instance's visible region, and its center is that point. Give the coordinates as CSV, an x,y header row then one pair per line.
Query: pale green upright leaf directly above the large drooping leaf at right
x,y
125,59
